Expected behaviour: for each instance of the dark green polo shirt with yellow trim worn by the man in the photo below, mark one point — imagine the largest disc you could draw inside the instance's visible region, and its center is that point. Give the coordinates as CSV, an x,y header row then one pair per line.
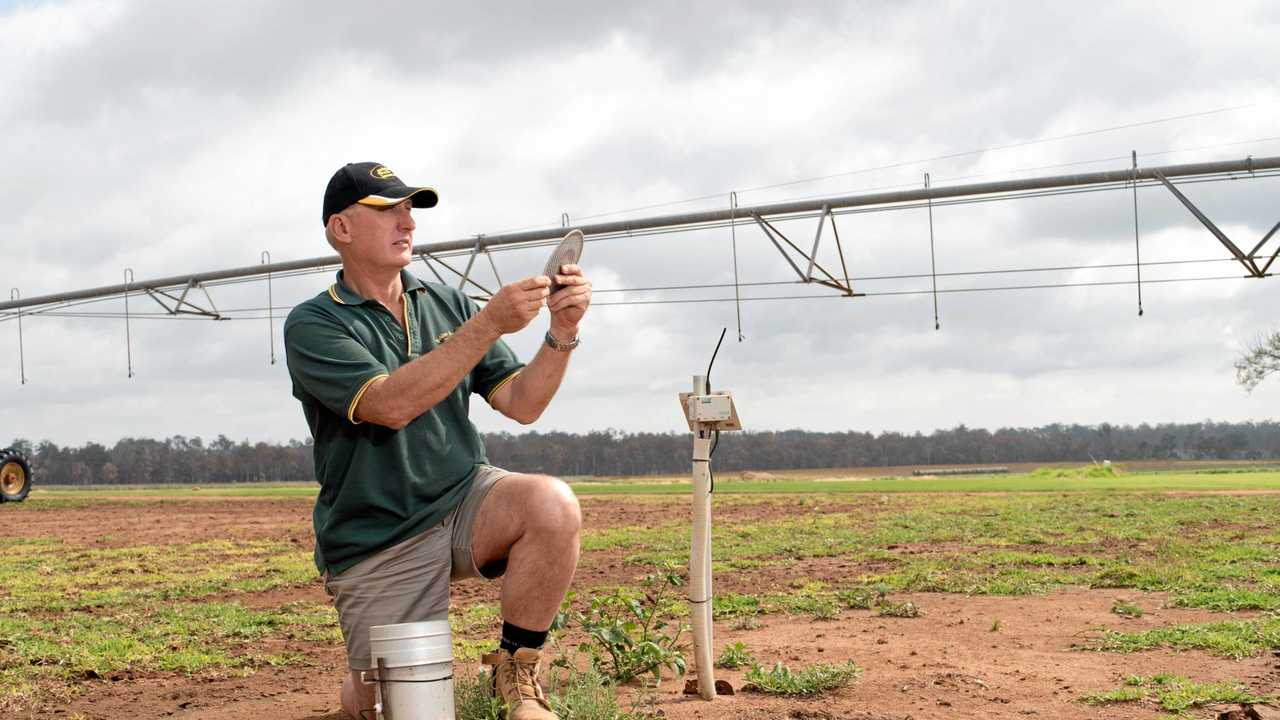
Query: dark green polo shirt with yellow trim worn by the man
x,y
380,486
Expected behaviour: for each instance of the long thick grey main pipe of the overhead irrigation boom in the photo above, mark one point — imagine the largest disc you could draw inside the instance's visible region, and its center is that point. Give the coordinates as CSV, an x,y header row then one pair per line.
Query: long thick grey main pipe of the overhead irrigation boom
x,y
692,220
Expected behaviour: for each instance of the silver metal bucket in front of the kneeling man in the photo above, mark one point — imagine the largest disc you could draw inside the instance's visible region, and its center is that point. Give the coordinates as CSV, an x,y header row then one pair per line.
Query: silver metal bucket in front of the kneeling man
x,y
415,671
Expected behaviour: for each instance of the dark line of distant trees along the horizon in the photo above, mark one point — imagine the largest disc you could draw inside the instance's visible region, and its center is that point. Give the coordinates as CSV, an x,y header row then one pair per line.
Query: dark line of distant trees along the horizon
x,y
614,453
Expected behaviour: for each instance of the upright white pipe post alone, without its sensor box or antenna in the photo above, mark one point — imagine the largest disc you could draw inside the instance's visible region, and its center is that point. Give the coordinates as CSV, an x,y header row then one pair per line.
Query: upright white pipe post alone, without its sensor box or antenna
x,y
701,554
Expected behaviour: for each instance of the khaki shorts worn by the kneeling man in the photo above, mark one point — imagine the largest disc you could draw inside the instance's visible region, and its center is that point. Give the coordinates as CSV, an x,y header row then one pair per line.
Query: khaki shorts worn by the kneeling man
x,y
410,582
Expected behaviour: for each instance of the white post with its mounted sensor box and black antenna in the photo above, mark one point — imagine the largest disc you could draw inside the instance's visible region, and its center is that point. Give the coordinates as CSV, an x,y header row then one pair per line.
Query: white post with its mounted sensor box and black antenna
x,y
708,413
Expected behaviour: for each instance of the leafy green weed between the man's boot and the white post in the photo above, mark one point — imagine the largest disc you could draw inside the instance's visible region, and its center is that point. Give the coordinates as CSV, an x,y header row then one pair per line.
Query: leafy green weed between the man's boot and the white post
x,y
636,634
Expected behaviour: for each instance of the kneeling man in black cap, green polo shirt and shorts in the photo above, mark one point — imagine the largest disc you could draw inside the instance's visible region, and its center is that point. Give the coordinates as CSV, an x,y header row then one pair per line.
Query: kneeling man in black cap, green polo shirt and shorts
x,y
385,367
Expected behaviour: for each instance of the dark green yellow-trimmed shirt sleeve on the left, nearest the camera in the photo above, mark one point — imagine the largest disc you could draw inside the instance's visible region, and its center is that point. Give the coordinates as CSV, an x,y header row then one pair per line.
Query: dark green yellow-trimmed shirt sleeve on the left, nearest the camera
x,y
328,363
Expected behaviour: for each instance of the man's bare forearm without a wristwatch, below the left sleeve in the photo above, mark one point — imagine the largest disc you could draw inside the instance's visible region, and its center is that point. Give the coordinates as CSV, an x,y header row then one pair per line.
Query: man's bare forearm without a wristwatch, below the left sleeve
x,y
417,388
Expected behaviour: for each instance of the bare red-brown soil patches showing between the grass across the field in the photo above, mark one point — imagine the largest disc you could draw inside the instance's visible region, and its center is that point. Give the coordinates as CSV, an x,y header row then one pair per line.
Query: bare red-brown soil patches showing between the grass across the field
x,y
980,655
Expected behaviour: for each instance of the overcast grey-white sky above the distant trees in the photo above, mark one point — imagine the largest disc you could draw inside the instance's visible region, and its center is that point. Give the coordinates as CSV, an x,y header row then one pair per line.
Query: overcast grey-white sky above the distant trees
x,y
170,138
